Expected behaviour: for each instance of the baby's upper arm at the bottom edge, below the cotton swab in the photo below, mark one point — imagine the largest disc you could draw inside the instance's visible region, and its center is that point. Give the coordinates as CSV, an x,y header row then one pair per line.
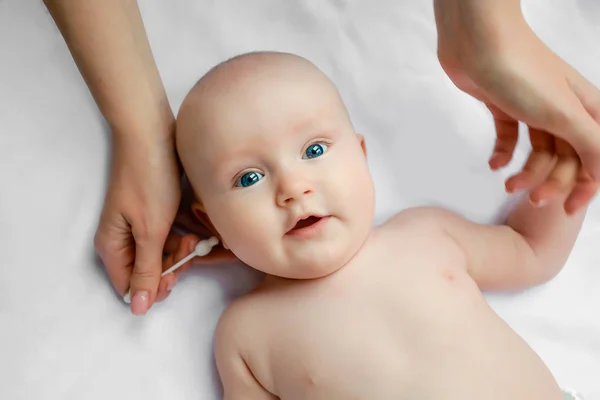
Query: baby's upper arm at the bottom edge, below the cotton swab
x,y
237,378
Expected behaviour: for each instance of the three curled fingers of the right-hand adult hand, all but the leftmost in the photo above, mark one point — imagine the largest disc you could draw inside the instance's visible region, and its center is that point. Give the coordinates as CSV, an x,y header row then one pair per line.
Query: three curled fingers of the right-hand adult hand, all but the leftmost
x,y
553,171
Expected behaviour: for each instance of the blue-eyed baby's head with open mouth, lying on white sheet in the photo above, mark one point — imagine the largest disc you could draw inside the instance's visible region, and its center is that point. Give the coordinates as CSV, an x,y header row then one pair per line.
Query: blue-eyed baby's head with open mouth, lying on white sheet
x,y
269,148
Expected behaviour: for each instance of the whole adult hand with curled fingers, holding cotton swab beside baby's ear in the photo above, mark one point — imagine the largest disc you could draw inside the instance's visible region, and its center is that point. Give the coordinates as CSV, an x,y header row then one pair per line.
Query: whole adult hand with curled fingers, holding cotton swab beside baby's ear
x,y
135,227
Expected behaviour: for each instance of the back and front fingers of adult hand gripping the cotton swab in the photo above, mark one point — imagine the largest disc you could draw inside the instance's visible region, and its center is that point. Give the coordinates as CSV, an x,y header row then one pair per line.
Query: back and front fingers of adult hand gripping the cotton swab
x,y
140,206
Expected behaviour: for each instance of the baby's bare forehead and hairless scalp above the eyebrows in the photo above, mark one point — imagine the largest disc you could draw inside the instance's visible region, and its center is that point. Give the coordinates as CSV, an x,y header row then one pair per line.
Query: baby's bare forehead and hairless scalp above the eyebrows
x,y
242,105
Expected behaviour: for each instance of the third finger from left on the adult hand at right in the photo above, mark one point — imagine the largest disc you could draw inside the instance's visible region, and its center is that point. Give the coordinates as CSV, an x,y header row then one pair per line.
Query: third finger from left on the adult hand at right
x,y
562,179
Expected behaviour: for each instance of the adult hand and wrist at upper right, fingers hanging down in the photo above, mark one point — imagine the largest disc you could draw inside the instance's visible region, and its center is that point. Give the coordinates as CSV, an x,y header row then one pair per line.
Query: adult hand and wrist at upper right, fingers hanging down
x,y
488,51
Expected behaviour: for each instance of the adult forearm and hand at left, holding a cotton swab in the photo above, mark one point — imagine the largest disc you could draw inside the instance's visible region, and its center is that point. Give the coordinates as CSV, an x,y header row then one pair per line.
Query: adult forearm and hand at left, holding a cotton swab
x,y
143,192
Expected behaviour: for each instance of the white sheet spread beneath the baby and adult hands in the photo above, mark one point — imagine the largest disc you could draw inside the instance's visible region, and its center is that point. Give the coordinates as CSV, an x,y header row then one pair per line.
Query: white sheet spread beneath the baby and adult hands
x,y
65,335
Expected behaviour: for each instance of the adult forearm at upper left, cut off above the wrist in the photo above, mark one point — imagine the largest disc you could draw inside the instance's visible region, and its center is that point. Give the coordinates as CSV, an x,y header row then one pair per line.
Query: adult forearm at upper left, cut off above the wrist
x,y
108,42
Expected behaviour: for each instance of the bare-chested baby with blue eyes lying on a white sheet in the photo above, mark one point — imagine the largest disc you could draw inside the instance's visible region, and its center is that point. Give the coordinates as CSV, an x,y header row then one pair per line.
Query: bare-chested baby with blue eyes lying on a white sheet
x,y
348,311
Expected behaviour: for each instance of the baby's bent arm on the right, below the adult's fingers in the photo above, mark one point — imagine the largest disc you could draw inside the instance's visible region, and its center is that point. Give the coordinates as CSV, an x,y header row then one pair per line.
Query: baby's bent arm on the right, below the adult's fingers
x,y
529,249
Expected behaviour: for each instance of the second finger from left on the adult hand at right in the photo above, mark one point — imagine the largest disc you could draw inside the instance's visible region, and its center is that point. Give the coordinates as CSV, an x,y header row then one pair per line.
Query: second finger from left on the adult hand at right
x,y
538,164
